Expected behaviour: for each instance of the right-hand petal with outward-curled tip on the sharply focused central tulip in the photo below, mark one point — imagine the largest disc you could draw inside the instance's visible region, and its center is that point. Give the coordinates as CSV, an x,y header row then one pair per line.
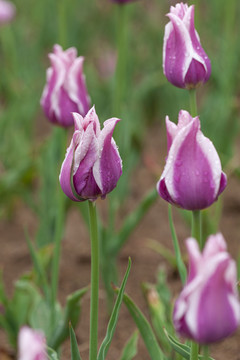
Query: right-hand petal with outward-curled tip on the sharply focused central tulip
x,y
108,167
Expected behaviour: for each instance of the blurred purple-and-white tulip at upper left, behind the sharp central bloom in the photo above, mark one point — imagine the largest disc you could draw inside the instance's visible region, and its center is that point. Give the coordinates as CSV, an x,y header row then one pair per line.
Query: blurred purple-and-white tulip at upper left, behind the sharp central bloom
x,y
65,91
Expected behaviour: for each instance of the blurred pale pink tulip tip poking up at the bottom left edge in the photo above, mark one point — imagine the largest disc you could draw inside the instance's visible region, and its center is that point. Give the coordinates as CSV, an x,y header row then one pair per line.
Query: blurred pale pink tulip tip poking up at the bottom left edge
x,y
31,345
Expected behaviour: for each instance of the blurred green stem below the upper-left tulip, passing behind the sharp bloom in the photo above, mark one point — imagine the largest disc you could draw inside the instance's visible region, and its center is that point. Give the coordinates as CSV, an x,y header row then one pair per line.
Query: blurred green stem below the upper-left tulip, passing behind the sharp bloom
x,y
59,224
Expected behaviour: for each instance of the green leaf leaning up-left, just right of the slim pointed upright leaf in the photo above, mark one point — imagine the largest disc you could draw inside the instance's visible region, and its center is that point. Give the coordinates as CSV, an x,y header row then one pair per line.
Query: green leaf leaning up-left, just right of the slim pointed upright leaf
x,y
145,329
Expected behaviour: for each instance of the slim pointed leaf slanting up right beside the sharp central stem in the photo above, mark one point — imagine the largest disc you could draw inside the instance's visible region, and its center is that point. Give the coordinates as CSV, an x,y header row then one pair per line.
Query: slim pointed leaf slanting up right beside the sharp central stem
x,y
114,317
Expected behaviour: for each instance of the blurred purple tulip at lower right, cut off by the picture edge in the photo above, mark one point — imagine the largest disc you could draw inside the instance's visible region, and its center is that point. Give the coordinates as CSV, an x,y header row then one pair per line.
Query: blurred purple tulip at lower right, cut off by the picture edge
x,y
208,308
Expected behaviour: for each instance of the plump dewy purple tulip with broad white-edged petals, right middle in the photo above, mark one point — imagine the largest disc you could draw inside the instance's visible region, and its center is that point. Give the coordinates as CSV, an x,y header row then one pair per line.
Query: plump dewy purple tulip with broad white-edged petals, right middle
x,y
192,178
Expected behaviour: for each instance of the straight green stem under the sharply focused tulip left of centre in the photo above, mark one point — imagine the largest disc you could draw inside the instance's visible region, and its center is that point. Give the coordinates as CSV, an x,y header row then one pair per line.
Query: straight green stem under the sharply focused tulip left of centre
x,y
93,343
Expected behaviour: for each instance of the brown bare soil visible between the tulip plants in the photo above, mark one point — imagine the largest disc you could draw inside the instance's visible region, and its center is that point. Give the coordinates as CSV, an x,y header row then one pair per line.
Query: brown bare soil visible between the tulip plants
x,y
75,259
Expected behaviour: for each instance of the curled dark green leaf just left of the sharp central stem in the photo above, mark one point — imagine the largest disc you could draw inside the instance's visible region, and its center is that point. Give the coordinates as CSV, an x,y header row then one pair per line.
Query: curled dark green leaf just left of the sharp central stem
x,y
71,314
